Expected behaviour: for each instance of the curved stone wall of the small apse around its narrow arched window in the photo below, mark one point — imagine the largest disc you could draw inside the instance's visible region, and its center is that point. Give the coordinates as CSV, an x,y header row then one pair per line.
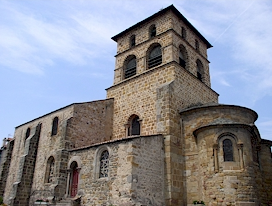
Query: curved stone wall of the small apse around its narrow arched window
x,y
238,183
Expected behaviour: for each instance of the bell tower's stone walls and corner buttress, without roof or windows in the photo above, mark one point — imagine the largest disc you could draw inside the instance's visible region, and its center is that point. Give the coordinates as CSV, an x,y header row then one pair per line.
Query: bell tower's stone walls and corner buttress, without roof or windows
x,y
156,95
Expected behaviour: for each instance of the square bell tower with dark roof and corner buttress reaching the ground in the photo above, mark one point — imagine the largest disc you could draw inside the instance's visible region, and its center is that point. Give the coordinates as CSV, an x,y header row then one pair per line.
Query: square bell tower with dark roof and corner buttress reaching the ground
x,y
161,67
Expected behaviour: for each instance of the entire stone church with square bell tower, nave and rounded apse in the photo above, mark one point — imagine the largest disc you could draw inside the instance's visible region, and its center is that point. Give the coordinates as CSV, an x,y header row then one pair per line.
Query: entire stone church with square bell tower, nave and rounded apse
x,y
159,138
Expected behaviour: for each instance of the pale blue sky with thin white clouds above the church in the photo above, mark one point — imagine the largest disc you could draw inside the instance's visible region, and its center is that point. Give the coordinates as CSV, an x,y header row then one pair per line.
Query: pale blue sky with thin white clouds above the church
x,y
54,53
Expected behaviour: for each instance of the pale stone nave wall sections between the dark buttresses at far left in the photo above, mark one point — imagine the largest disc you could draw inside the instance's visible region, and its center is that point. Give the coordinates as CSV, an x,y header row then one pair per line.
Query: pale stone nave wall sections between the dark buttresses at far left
x,y
48,145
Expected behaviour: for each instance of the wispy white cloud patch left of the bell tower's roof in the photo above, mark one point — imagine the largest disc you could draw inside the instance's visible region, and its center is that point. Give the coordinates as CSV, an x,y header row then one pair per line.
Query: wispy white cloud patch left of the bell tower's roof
x,y
33,43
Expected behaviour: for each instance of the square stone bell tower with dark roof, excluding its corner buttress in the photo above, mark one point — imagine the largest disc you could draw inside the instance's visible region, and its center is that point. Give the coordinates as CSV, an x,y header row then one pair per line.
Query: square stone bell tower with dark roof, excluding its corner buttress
x,y
164,50
